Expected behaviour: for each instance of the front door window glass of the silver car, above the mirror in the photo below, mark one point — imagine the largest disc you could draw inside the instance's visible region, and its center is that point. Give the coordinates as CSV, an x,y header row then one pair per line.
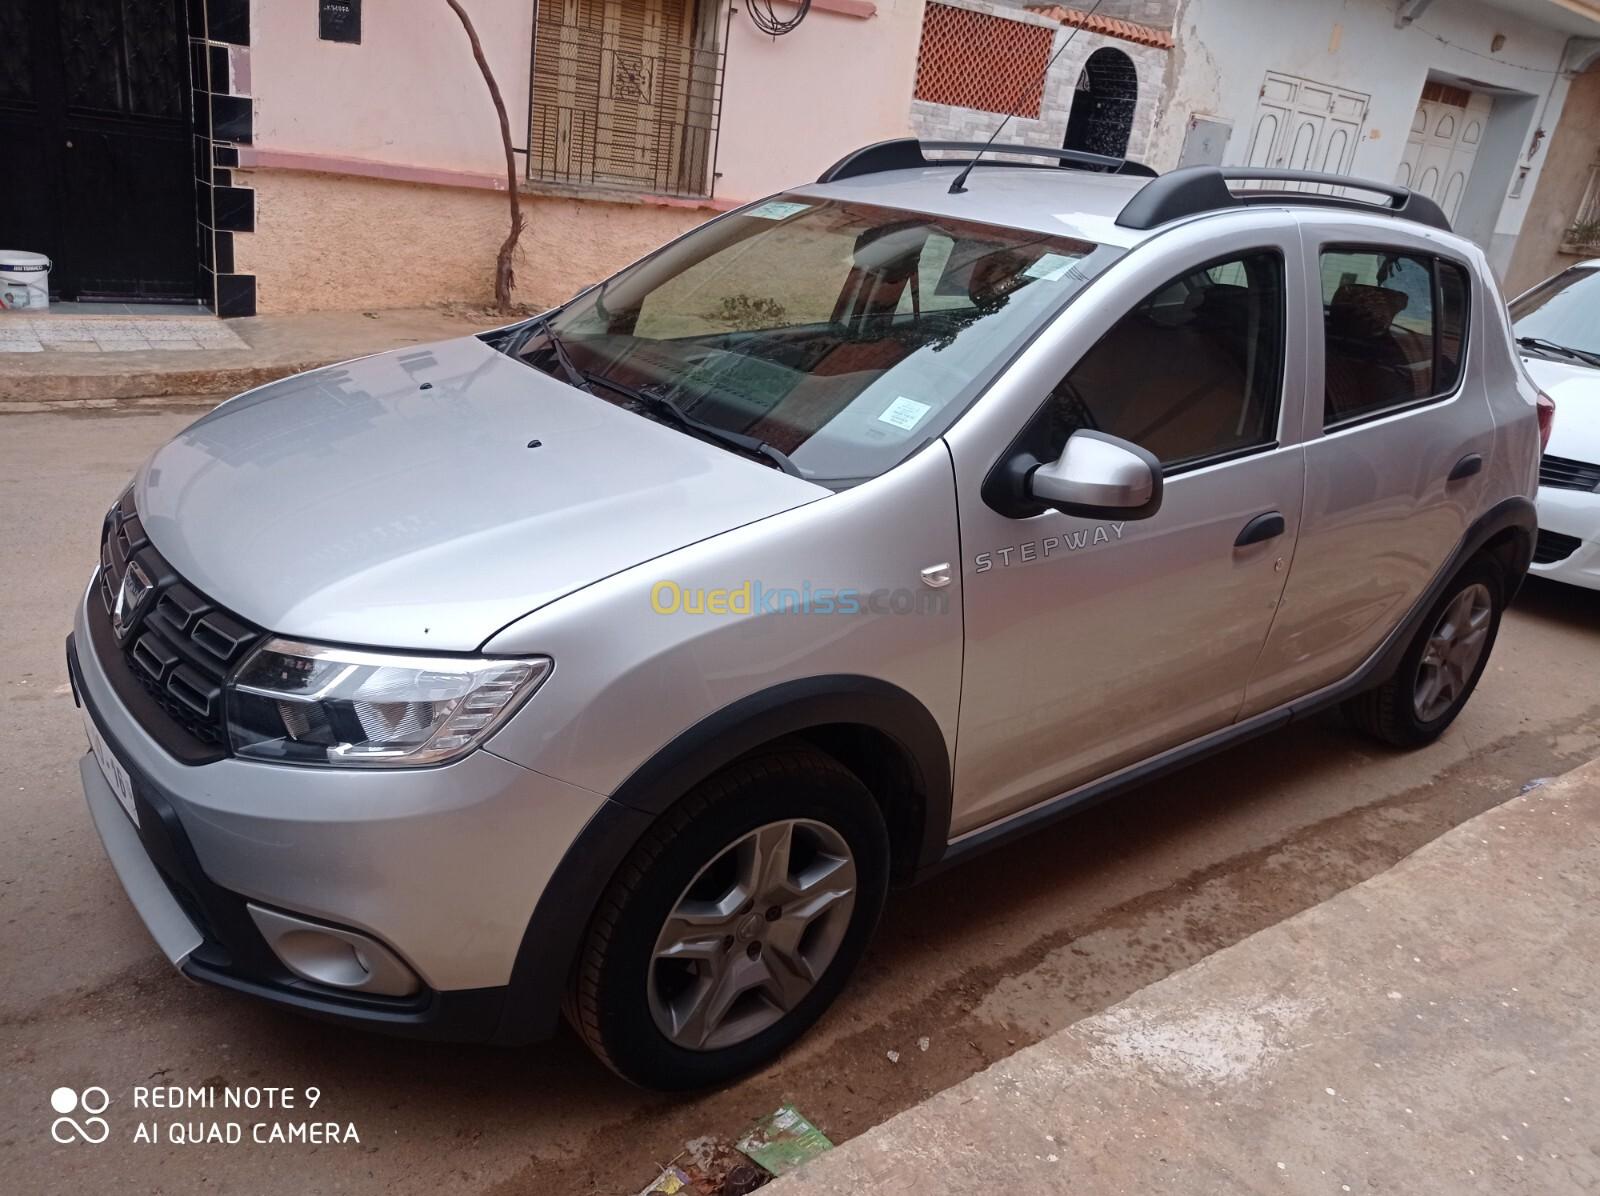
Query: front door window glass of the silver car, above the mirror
x,y
1193,373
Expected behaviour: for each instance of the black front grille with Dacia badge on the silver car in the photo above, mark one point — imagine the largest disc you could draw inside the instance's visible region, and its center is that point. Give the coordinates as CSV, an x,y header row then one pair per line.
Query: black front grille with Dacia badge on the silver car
x,y
172,639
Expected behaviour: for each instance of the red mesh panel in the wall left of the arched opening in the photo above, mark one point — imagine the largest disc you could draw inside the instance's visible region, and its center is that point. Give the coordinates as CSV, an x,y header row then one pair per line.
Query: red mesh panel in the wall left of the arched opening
x,y
980,62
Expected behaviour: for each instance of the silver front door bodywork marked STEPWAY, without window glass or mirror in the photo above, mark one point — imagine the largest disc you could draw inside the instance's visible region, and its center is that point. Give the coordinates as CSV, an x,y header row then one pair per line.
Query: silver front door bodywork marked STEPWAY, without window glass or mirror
x,y
1090,658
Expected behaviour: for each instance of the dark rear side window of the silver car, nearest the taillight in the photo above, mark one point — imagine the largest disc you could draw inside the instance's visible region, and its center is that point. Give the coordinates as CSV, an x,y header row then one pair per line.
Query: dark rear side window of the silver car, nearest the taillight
x,y
1396,327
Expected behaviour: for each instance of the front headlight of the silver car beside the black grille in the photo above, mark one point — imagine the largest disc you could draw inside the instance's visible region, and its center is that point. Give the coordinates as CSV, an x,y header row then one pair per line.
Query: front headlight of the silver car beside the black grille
x,y
310,704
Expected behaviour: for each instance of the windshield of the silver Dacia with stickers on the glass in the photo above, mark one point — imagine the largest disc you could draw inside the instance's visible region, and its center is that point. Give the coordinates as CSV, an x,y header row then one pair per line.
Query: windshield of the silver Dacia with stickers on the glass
x,y
834,338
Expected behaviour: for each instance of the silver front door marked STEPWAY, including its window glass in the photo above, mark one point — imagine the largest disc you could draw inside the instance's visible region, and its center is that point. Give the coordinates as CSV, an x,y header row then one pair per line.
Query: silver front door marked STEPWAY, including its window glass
x,y
1097,644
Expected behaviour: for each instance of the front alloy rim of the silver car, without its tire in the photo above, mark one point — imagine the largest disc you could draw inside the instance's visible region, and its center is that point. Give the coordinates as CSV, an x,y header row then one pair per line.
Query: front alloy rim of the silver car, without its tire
x,y
753,935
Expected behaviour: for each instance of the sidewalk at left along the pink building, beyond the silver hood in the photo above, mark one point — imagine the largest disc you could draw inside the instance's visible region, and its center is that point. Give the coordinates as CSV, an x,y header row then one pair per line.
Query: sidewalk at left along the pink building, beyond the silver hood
x,y
262,349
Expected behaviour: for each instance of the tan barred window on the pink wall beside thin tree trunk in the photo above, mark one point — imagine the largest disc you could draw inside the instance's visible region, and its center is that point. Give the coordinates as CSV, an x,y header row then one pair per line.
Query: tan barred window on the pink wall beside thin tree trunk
x,y
626,94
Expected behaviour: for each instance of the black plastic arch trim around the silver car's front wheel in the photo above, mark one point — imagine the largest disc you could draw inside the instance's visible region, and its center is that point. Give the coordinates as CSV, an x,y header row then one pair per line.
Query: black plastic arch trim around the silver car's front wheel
x,y
561,919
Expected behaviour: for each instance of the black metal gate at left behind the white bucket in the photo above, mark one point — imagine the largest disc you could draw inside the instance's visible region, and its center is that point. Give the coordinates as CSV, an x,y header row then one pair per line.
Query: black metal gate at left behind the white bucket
x,y
98,145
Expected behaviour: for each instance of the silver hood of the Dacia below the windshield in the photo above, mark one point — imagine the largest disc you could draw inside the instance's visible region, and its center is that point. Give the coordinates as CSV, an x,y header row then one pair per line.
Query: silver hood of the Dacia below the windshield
x,y
399,500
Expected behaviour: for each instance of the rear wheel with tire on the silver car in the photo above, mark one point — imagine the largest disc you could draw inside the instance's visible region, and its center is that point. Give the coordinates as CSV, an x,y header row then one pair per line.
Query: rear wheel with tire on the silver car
x,y
1442,666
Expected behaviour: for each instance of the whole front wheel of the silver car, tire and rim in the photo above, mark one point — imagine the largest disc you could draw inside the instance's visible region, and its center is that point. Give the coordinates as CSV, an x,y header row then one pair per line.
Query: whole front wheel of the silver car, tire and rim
x,y
735,923
